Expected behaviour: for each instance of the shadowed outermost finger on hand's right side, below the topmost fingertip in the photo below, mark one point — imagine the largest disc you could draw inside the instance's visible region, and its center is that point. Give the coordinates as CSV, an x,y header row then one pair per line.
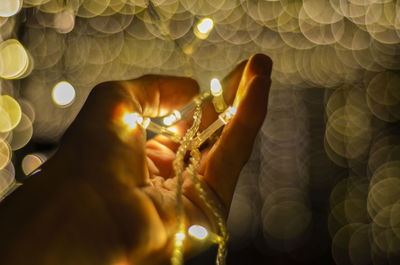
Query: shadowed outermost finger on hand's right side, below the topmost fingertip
x,y
232,150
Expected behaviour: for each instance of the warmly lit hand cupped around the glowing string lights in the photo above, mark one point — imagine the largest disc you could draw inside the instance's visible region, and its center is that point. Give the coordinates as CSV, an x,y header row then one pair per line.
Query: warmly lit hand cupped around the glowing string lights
x,y
107,196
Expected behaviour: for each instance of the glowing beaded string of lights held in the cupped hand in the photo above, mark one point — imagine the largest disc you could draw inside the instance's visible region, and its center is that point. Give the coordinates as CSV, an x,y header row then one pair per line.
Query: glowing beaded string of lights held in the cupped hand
x,y
192,141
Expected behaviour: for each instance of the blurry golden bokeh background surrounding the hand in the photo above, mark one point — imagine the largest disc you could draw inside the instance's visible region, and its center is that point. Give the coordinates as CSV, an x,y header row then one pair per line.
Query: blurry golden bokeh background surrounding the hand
x,y
323,182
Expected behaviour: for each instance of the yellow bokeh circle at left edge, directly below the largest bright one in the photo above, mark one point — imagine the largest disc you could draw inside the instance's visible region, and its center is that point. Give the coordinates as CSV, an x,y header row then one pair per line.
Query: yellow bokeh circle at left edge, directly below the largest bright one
x,y
10,113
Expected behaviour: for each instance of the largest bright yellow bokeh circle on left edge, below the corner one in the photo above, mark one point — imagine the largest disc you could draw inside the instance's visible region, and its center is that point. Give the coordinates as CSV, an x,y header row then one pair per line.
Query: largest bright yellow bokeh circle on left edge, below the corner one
x,y
14,59
